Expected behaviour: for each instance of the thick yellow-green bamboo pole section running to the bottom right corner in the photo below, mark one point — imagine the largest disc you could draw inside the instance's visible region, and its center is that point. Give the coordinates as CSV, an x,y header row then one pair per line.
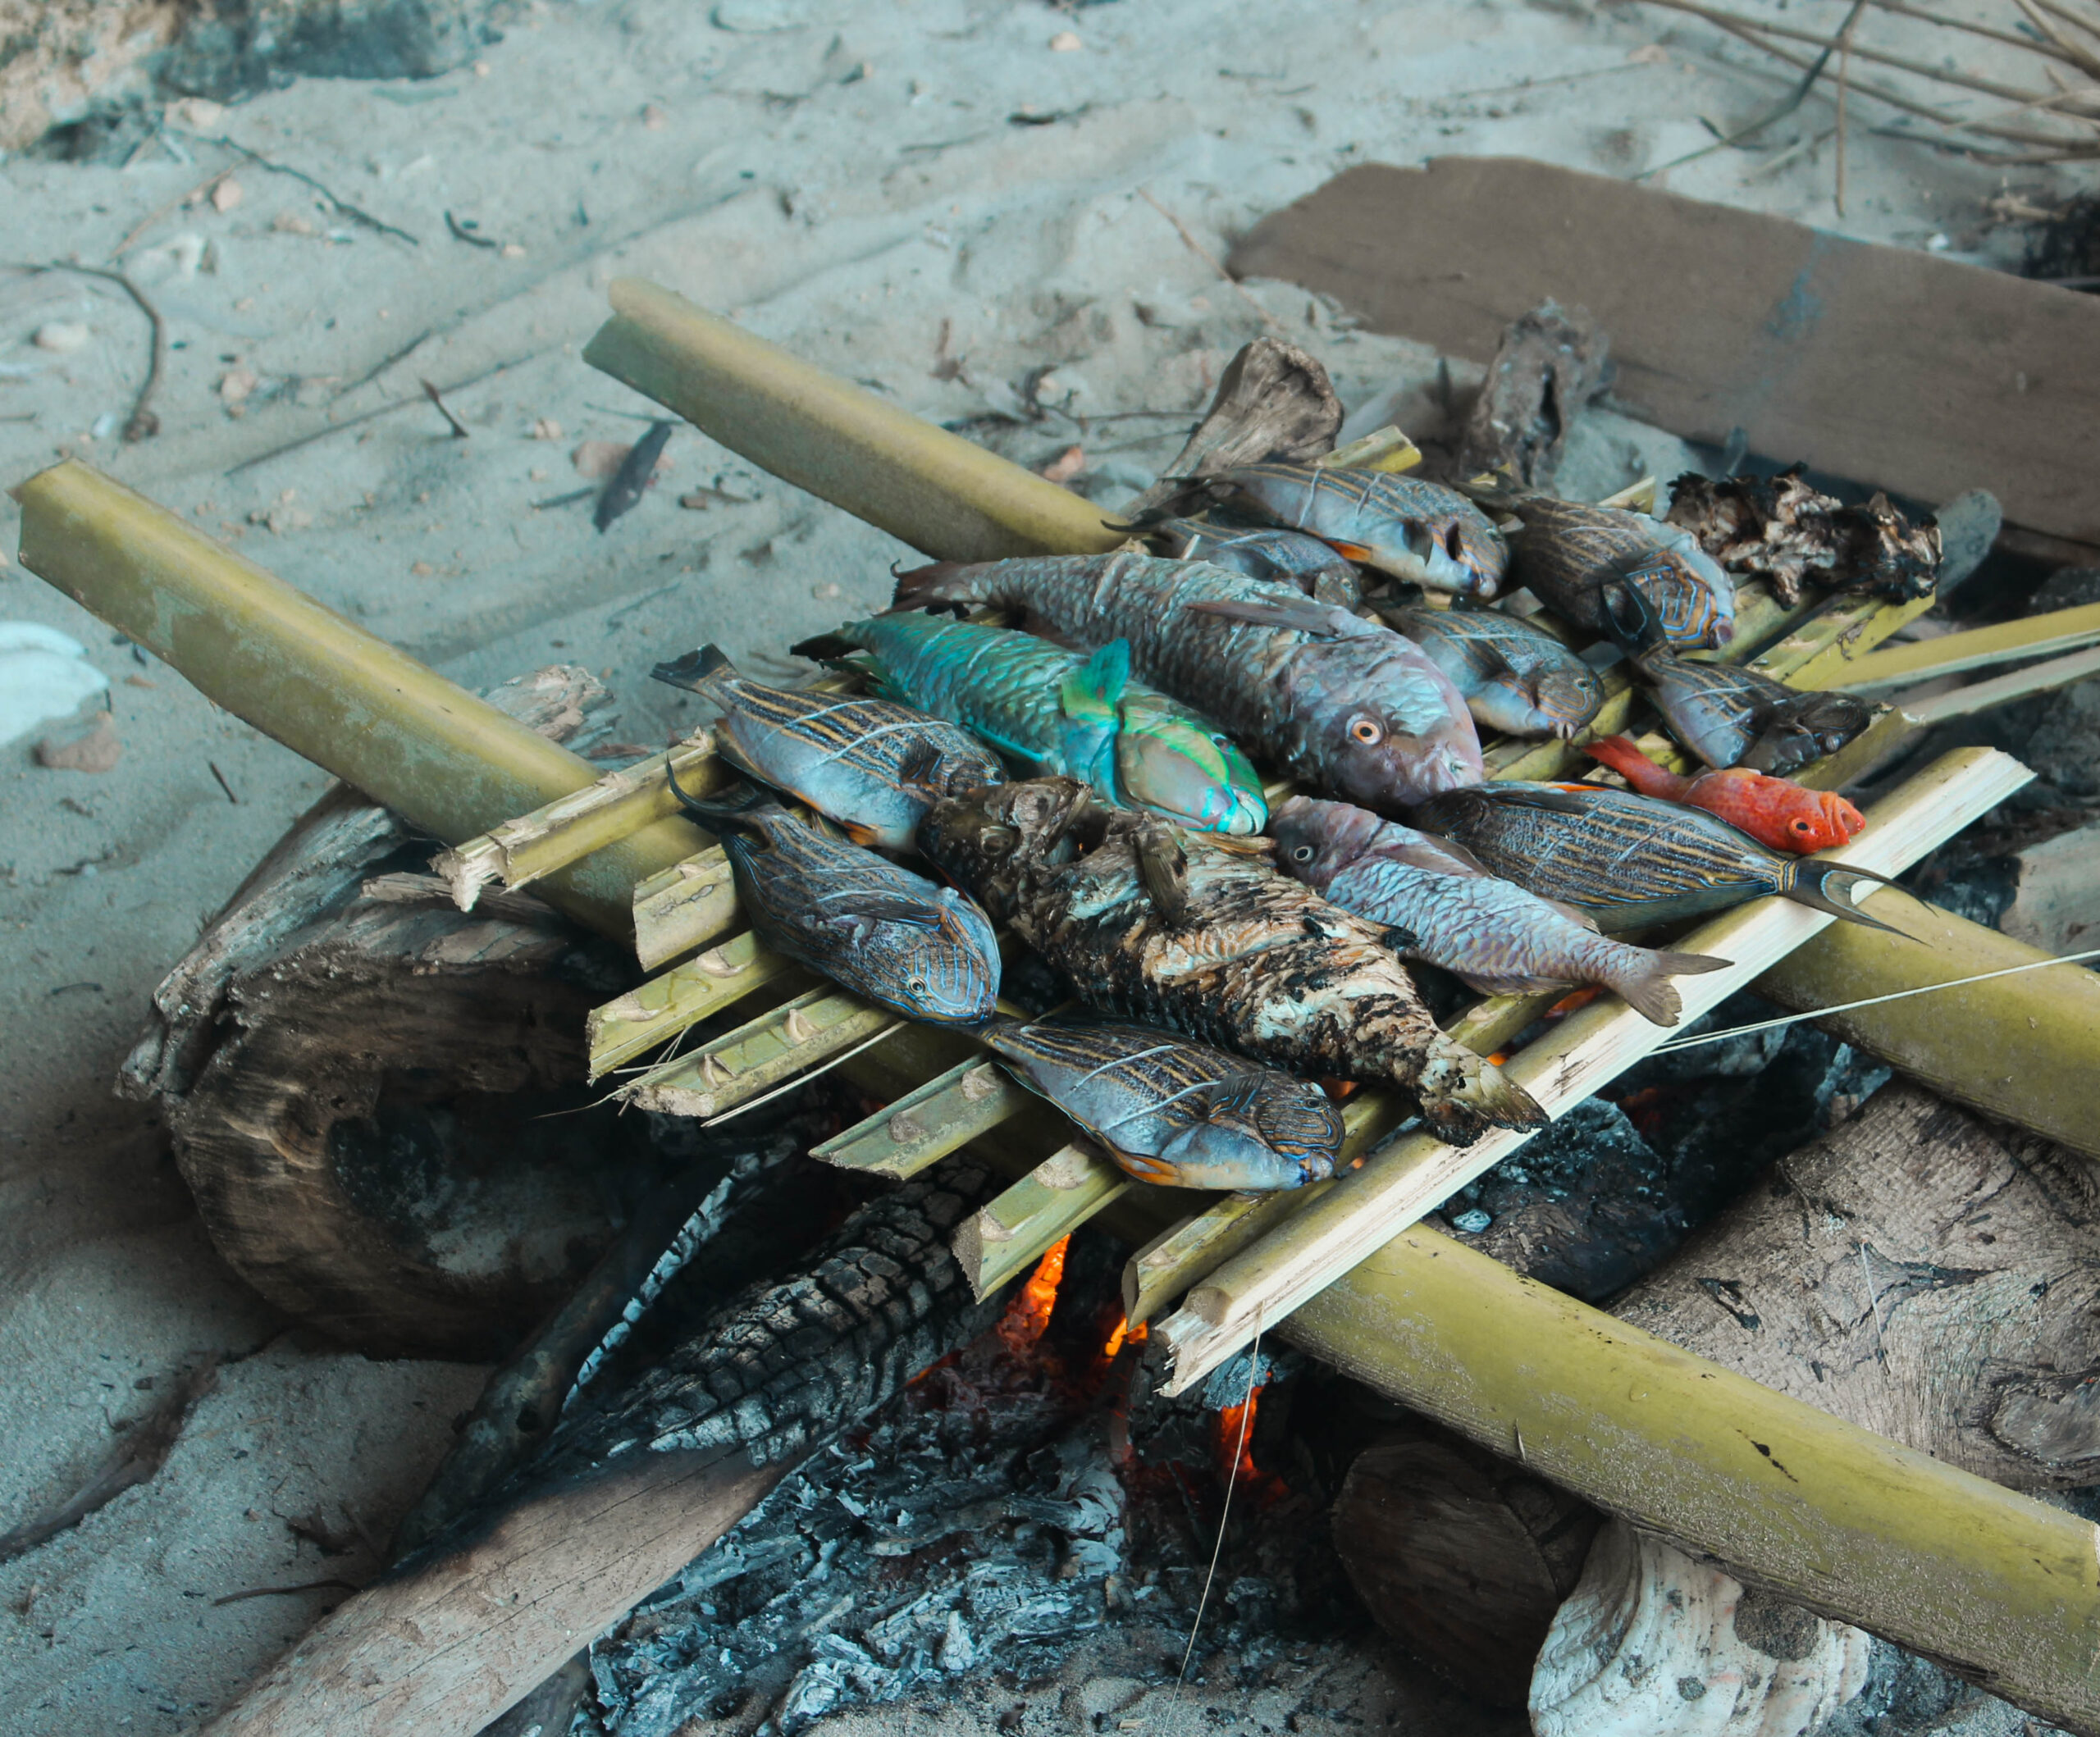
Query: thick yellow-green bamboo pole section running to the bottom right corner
x,y
1849,1524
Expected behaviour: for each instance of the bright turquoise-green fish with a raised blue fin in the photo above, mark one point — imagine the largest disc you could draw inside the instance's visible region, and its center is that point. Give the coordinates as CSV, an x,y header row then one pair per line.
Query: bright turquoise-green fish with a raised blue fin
x,y
1059,711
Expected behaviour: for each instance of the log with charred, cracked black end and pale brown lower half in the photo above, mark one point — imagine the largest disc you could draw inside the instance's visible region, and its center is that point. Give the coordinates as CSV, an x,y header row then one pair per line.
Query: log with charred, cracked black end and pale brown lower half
x,y
629,1494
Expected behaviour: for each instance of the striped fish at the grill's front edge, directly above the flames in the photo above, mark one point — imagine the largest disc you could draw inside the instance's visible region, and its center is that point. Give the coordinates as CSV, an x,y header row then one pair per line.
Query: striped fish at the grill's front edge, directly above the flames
x,y
1175,1112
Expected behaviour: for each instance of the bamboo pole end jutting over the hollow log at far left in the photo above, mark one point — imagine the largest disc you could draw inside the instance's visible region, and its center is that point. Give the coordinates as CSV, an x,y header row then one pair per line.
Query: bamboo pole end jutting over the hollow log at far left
x,y
442,759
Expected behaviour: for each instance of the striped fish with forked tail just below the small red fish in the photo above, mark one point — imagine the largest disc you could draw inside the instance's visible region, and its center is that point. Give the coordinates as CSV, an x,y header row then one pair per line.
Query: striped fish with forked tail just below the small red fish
x,y
1633,860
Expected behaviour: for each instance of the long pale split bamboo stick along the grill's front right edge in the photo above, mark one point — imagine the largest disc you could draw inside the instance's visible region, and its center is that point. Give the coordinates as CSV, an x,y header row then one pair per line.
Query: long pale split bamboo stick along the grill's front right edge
x,y
1589,1051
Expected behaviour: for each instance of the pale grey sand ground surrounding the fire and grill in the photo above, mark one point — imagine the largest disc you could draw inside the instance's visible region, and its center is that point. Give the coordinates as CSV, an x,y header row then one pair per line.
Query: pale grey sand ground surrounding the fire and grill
x,y
849,182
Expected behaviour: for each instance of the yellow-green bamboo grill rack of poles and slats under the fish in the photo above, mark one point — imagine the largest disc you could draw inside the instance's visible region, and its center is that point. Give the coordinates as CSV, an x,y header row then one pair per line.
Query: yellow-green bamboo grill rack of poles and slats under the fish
x,y
1931,1557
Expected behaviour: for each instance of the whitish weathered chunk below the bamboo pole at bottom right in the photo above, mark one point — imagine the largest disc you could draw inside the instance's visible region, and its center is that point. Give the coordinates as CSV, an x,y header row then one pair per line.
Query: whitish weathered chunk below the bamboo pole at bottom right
x,y
1647,1648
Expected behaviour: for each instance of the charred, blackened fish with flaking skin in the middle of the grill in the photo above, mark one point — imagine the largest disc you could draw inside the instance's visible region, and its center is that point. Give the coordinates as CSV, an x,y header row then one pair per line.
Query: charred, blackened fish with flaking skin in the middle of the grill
x,y
1202,936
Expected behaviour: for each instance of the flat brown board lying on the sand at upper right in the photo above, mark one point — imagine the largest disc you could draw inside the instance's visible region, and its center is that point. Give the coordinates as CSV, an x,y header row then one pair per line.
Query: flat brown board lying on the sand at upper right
x,y
1895,369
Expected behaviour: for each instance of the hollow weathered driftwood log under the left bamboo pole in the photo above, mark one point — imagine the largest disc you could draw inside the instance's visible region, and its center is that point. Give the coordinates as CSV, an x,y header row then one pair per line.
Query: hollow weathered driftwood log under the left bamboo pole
x,y
406,1207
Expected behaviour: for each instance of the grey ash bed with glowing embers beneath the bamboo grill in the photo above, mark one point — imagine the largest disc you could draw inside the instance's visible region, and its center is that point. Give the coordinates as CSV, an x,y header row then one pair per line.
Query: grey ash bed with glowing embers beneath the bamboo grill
x,y
1017,1499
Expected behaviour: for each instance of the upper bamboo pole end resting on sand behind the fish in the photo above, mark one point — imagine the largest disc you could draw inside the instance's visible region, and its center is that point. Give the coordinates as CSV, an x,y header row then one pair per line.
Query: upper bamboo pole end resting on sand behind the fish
x,y
921,484
